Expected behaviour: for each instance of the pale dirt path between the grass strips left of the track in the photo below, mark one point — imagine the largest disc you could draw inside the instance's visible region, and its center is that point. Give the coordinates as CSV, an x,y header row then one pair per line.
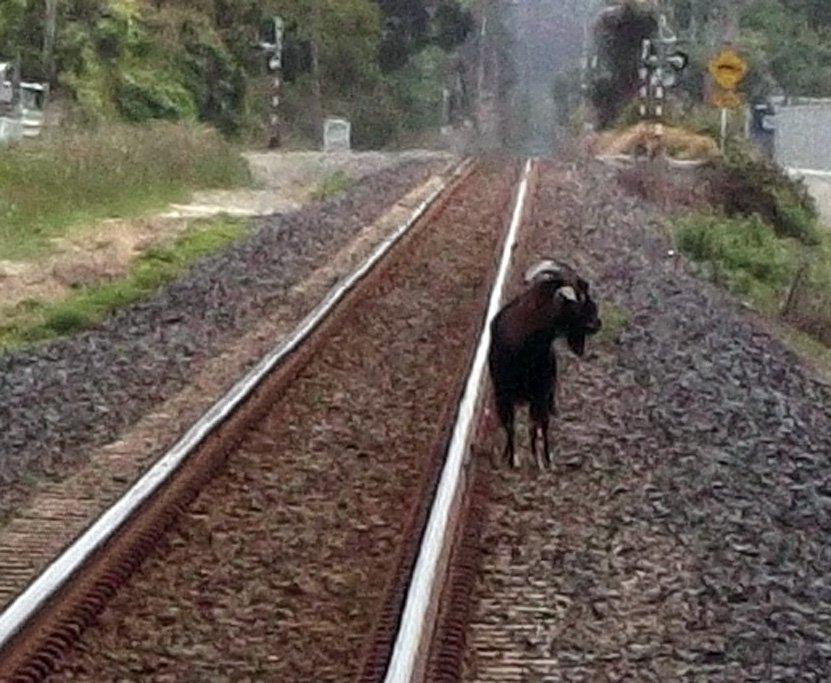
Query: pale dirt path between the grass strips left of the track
x,y
282,183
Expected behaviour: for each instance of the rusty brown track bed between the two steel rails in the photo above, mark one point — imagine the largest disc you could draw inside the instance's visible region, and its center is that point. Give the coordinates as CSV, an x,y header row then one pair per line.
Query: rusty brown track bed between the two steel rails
x,y
320,490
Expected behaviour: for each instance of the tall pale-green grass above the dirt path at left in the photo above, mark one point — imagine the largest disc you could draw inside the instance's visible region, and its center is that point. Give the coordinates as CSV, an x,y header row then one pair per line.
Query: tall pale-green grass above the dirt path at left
x,y
50,185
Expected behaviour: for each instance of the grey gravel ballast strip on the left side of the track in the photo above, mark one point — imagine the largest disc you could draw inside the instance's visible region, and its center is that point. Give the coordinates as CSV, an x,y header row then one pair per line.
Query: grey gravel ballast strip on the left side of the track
x,y
72,394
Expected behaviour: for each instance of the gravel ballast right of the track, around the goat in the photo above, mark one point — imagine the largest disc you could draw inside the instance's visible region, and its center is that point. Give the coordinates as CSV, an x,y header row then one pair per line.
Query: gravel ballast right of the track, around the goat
x,y
682,535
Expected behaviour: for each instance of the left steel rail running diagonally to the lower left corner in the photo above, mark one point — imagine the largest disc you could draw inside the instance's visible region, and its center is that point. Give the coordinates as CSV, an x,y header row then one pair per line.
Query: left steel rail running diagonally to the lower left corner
x,y
58,573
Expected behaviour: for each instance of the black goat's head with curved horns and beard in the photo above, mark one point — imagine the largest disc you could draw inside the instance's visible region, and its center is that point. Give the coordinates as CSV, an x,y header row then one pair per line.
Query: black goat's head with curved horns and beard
x,y
579,311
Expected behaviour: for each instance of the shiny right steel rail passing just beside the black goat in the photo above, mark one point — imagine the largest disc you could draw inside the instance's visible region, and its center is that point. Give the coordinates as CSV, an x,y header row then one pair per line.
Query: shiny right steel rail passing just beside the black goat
x,y
414,627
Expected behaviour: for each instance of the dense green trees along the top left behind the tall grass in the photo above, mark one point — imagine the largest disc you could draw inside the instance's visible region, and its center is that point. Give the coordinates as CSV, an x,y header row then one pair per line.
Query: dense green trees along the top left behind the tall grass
x,y
196,59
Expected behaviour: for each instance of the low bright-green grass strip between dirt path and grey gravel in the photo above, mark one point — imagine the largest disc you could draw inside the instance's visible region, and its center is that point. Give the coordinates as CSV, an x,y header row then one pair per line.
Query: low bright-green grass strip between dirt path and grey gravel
x,y
36,320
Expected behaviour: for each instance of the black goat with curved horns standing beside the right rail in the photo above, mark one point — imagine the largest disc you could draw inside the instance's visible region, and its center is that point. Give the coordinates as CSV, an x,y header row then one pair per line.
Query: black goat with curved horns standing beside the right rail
x,y
521,360
